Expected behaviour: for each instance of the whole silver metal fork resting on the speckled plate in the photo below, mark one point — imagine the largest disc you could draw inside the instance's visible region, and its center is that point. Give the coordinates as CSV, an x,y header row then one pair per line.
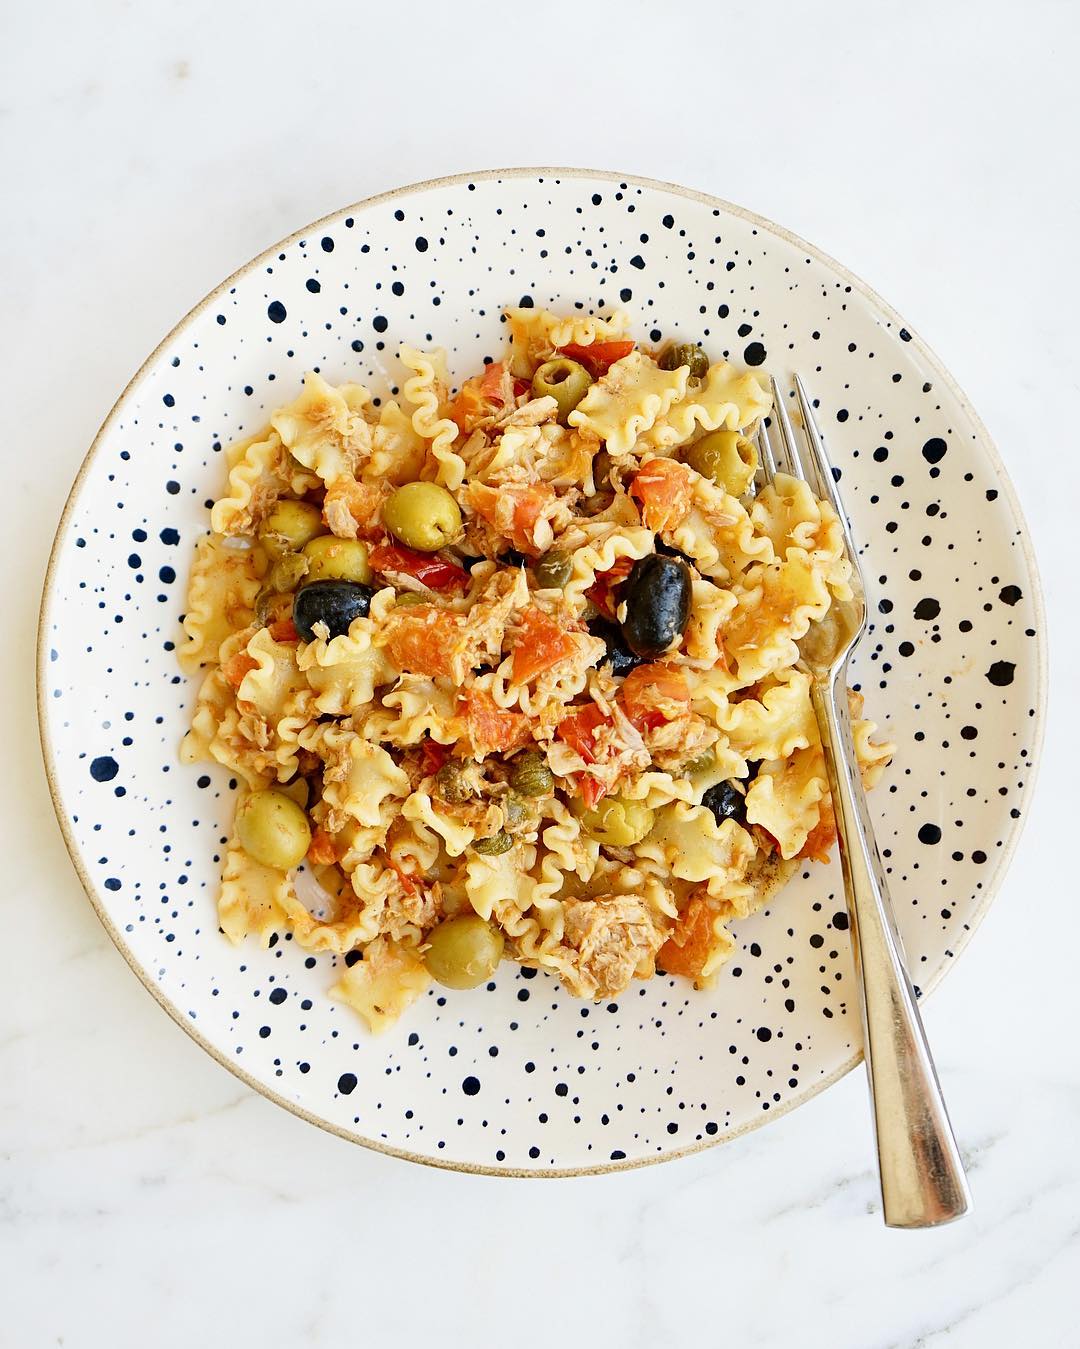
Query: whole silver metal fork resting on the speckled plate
x,y
922,1173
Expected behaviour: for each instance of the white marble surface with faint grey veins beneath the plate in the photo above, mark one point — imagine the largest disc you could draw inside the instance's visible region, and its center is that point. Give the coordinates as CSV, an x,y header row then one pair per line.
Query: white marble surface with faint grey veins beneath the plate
x,y
146,1197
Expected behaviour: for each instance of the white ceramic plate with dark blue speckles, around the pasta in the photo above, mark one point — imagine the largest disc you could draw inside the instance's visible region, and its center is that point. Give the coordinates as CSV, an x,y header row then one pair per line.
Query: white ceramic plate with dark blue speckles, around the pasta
x,y
522,1079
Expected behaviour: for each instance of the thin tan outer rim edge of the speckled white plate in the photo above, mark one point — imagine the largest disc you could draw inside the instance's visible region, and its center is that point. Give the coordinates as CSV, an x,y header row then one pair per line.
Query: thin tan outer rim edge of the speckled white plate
x,y
986,444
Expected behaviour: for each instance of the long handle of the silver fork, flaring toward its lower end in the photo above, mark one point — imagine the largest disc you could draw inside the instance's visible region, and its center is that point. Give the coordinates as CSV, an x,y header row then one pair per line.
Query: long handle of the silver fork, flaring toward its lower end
x,y
922,1173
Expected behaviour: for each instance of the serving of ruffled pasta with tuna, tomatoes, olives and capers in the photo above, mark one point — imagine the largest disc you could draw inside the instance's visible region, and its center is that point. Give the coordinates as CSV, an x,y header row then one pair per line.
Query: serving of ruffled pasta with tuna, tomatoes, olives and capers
x,y
535,691
